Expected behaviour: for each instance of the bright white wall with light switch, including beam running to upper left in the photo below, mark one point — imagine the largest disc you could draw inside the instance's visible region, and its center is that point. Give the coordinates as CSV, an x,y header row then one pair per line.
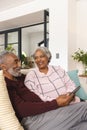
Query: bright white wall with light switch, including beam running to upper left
x,y
58,26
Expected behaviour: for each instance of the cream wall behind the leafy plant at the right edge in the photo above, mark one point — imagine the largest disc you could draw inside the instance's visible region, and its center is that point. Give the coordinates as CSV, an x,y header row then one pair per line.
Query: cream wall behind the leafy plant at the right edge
x,y
77,30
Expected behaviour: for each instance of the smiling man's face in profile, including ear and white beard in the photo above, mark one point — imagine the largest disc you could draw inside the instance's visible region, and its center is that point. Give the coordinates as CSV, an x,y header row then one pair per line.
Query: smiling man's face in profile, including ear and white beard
x,y
13,65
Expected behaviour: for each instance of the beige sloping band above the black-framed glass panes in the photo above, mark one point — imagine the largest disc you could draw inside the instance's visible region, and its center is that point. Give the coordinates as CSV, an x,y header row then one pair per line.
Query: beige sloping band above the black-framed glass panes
x,y
25,20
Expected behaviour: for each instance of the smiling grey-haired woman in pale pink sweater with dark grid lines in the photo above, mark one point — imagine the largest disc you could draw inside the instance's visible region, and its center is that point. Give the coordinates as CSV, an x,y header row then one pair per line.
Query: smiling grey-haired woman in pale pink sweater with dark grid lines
x,y
47,81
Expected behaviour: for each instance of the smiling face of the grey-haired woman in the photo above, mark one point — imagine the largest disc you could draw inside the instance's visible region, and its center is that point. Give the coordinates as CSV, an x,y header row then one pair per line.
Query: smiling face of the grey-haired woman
x,y
41,59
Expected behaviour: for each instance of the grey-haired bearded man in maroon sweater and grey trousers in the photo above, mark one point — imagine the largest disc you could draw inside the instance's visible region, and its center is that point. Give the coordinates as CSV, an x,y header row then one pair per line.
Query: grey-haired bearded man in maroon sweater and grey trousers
x,y
34,113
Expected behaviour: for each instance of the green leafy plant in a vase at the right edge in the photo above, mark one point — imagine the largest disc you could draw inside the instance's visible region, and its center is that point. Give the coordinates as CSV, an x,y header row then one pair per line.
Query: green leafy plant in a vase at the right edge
x,y
81,56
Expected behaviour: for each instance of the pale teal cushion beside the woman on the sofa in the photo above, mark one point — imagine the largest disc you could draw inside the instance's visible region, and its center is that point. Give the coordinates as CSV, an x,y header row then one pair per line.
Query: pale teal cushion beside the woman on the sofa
x,y
73,74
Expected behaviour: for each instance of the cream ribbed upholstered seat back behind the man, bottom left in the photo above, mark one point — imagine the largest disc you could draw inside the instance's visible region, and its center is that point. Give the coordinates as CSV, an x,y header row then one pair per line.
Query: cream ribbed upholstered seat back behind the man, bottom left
x,y
8,120
